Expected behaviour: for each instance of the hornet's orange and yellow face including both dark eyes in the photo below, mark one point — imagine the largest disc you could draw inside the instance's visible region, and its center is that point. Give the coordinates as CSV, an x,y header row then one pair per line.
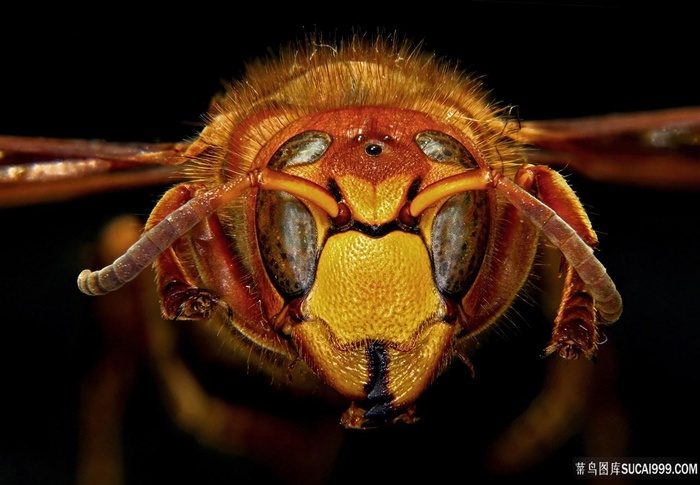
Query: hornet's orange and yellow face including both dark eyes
x,y
373,299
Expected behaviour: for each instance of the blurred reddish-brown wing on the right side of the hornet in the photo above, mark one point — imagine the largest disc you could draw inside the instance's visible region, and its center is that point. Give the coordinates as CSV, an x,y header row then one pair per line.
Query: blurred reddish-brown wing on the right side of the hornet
x,y
654,149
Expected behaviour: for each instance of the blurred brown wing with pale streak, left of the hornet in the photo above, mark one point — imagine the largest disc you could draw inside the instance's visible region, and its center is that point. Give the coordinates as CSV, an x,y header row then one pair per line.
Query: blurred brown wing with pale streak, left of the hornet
x,y
38,170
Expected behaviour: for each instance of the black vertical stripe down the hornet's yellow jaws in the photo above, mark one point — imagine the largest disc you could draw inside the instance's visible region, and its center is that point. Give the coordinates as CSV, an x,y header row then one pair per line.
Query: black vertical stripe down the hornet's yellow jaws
x,y
379,398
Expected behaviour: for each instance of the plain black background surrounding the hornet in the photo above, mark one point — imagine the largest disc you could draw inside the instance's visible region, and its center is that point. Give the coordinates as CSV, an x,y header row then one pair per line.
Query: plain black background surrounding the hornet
x,y
128,75
